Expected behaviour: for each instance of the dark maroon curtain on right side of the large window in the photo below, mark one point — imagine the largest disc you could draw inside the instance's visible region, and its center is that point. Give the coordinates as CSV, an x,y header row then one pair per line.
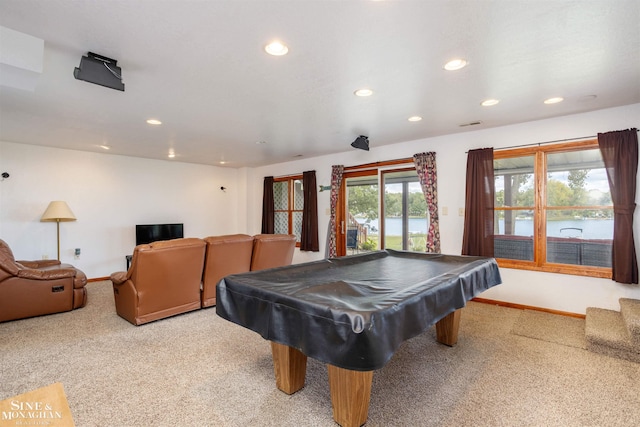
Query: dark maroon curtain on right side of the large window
x,y
620,154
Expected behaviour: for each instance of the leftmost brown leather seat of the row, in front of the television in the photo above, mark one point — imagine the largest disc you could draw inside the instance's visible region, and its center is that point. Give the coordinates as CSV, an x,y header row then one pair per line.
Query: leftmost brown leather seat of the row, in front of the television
x,y
163,280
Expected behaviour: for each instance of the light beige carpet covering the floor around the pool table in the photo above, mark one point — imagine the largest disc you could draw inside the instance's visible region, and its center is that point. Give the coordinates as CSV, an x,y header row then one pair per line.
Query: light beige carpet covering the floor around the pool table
x,y
200,370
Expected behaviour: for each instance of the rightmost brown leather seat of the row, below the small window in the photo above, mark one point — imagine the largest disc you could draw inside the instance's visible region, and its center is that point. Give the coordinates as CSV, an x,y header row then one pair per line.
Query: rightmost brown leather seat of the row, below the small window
x,y
272,250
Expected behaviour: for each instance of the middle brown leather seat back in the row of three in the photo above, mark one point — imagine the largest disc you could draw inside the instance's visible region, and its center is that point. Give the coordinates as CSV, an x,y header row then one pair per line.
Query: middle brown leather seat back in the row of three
x,y
229,254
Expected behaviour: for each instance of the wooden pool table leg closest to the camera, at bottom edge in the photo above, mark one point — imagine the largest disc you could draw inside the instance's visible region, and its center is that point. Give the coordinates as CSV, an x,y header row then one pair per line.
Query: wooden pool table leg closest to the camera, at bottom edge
x,y
350,394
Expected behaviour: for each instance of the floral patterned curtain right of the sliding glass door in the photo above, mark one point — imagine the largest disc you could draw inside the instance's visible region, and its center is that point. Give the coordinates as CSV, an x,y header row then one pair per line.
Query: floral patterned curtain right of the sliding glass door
x,y
427,173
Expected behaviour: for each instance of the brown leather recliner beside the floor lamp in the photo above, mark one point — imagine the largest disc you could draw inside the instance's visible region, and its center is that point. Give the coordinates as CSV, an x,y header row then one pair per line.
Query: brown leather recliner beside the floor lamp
x,y
35,288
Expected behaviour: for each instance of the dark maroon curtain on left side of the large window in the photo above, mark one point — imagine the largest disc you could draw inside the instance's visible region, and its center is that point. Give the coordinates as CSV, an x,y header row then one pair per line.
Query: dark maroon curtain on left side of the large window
x,y
479,200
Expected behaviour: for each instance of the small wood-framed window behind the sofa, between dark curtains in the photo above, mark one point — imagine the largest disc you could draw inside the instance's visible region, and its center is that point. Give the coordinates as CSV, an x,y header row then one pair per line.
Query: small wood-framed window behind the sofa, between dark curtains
x,y
288,202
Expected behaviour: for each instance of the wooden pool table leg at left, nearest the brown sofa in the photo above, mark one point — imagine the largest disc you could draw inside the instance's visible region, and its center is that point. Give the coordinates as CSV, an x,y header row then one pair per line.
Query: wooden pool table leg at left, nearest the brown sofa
x,y
290,367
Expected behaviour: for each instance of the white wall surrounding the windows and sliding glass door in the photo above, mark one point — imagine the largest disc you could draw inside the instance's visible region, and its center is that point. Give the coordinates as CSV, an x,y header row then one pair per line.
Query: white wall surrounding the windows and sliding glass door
x,y
553,291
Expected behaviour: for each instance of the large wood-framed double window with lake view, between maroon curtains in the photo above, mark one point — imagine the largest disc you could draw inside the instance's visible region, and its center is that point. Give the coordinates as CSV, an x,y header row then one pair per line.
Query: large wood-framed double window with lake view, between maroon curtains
x,y
553,209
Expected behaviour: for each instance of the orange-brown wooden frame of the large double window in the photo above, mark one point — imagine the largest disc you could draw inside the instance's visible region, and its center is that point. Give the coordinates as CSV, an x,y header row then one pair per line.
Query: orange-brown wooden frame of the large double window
x,y
540,209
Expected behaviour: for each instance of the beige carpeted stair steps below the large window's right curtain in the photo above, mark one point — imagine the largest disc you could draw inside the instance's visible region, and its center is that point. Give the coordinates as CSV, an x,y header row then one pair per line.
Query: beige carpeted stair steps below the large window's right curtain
x,y
614,333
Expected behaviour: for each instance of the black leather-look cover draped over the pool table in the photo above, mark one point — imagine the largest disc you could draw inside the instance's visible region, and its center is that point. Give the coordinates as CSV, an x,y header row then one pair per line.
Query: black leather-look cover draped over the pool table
x,y
354,312
